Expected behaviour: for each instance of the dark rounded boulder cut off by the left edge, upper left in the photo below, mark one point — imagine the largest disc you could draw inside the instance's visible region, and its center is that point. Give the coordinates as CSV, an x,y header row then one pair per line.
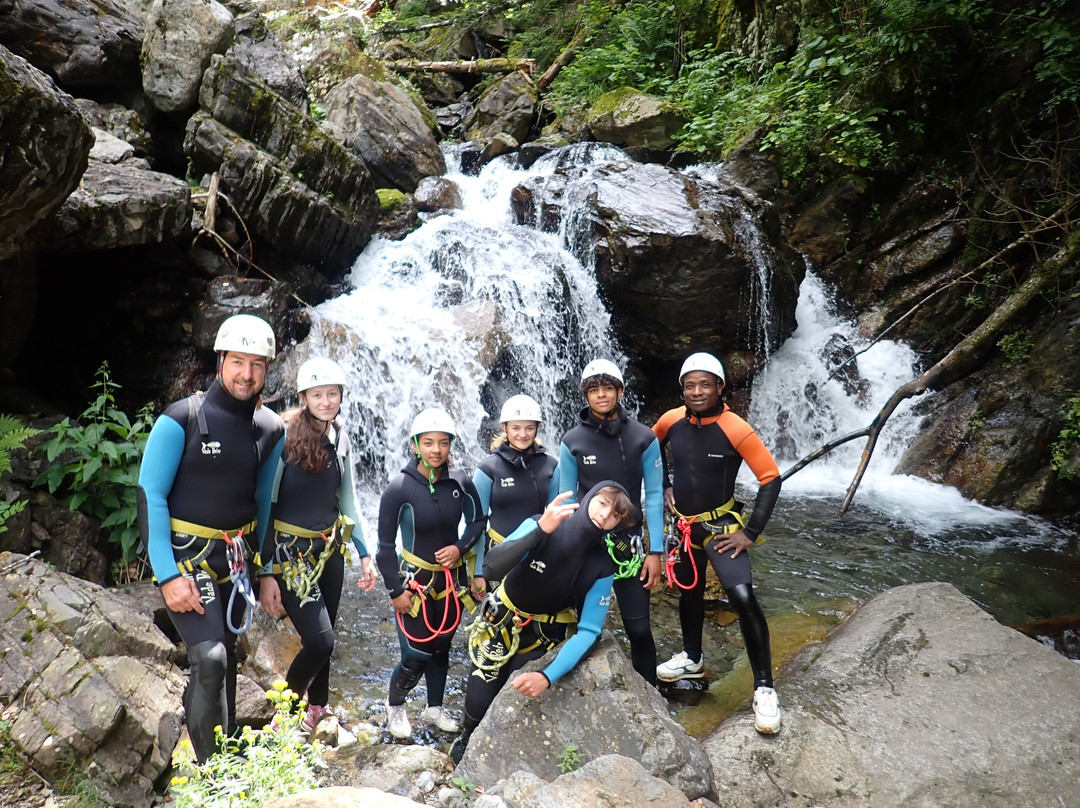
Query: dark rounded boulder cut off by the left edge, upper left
x,y
35,182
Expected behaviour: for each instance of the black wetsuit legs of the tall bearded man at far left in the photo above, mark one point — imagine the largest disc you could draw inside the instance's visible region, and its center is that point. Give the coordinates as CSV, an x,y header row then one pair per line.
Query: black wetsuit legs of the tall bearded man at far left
x,y
211,697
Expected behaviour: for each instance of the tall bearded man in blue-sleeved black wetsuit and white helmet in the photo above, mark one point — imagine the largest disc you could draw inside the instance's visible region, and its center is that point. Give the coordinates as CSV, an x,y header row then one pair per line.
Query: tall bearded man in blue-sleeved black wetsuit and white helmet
x,y
205,486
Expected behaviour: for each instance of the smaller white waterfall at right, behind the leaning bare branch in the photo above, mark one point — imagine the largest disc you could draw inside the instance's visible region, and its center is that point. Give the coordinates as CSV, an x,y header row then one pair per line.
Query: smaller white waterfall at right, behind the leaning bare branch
x,y
801,401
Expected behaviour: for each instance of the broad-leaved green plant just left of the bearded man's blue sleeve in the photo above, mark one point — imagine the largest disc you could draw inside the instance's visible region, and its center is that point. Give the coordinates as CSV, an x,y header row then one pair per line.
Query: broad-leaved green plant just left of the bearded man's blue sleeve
x,y
99,457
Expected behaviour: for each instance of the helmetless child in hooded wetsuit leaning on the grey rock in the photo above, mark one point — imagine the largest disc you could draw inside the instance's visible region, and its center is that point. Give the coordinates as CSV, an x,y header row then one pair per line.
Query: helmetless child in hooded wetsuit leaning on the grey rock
x,y
568,581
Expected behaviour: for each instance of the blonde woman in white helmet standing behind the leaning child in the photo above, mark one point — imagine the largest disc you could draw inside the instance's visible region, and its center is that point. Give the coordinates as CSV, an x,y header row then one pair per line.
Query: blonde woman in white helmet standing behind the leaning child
x,y
518,480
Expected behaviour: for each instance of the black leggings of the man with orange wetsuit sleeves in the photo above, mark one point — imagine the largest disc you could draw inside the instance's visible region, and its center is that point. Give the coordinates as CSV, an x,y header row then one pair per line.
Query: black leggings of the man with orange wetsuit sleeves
x,y
736,577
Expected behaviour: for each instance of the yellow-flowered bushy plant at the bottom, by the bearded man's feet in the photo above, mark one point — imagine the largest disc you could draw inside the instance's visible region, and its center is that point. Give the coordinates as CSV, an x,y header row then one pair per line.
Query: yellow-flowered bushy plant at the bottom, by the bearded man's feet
x,y
261,765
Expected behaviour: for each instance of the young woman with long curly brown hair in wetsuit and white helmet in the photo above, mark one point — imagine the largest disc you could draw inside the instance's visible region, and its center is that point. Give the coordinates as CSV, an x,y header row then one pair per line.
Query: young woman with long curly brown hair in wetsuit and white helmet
x,y
313,519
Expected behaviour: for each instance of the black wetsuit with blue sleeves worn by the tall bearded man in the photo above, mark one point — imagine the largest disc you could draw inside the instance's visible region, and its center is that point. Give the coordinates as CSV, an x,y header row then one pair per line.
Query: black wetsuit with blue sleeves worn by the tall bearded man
x,y
220,481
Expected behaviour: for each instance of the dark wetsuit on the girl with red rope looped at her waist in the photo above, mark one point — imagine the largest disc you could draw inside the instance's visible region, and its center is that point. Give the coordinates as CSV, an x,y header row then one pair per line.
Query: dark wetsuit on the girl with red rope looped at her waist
x,y
428,521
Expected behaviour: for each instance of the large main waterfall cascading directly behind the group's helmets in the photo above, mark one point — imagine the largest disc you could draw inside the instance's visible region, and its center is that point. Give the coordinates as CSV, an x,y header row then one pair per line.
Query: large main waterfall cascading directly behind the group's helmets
x,y
464,313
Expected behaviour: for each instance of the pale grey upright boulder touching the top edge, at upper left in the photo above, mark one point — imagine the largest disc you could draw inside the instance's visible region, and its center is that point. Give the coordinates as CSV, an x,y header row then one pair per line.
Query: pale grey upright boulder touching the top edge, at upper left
x,y
180,43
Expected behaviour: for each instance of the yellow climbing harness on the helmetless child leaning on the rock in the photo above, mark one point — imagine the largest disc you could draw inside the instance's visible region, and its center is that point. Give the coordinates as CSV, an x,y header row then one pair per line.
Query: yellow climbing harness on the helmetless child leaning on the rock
x,y
495,637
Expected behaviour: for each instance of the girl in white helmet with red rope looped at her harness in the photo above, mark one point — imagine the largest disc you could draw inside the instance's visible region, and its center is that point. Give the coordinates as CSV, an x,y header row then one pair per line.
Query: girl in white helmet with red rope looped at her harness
x,y
426,580
